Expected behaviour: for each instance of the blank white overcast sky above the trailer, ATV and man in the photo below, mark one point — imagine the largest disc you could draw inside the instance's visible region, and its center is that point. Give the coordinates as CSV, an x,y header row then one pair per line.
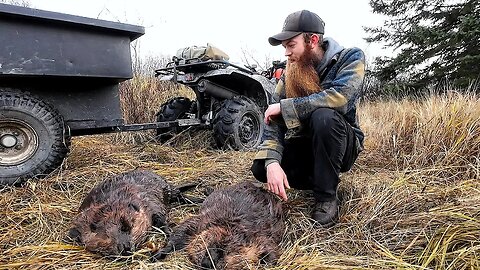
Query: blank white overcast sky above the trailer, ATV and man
x,y
232,26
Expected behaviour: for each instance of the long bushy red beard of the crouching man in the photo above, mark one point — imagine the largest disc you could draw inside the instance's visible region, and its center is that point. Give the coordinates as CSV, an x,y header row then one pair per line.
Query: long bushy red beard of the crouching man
x,y
301,78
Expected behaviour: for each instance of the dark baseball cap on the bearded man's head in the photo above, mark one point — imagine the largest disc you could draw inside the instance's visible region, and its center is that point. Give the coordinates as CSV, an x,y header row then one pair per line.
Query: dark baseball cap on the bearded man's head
x,y
303,21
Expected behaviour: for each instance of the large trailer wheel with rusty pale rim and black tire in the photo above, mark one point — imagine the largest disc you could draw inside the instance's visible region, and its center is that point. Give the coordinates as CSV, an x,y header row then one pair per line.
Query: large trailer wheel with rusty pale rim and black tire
x,y
32,137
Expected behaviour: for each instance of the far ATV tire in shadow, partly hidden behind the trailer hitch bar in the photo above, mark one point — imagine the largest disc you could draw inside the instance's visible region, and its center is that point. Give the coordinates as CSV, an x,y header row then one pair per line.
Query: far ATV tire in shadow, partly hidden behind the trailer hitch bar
x,y
173,109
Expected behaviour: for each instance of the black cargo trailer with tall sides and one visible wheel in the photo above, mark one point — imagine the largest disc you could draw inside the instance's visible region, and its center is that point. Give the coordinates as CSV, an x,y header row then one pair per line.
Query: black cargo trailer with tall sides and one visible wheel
x,y
59,77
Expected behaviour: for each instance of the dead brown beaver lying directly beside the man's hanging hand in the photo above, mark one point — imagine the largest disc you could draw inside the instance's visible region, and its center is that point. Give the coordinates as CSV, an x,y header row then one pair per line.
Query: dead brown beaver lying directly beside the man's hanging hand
x,y
236,225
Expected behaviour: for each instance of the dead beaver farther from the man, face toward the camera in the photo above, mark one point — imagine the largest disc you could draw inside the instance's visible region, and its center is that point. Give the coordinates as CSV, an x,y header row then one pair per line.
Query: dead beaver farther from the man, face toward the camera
x,y
116,215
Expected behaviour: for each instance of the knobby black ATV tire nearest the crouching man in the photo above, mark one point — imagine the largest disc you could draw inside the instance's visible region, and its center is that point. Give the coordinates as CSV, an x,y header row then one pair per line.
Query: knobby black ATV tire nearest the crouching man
x,y
238,124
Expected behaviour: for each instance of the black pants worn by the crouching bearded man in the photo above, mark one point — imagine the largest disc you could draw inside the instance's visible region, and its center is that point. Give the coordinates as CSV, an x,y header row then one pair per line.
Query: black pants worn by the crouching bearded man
x,y
316,160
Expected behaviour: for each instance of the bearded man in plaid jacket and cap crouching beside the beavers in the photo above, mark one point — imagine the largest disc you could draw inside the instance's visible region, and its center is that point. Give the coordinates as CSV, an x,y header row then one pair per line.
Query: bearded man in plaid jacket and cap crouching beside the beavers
x,y
312,132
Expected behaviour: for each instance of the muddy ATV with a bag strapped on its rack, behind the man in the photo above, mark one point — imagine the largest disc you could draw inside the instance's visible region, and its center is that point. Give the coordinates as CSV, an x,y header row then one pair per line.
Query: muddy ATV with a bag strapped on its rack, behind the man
x,y
229,98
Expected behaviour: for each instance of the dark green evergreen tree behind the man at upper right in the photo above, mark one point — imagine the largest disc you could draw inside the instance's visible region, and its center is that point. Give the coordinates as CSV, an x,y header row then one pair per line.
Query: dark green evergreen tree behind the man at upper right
x,y
434,39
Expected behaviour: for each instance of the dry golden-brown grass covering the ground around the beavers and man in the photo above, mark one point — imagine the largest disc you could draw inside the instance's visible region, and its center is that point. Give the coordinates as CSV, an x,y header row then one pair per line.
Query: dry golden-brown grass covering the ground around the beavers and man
x,y
410,202
